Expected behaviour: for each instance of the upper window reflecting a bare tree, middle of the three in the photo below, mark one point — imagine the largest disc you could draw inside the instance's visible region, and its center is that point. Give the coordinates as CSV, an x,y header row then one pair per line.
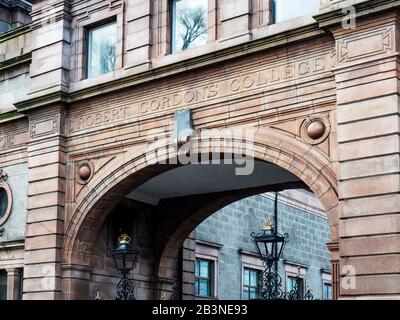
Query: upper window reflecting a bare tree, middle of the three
x,y
189,24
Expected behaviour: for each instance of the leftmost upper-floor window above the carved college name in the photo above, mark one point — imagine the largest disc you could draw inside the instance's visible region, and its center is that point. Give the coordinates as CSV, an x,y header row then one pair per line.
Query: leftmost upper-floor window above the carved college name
x,y
102,43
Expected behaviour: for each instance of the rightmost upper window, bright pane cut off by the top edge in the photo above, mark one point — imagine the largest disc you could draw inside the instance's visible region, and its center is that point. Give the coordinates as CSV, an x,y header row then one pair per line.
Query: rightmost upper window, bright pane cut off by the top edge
x,y
288,9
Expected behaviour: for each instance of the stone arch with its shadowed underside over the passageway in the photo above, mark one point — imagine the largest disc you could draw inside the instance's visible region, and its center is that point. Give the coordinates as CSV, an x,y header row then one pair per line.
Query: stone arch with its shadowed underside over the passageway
x,y
279,162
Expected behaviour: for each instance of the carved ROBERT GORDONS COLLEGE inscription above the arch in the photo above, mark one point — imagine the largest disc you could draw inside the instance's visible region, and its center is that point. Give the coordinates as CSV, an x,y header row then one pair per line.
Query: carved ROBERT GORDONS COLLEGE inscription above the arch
x,y
267,78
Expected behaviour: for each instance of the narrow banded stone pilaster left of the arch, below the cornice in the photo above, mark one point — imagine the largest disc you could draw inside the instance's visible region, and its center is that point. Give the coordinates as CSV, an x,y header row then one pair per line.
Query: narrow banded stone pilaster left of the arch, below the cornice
x,y
45,205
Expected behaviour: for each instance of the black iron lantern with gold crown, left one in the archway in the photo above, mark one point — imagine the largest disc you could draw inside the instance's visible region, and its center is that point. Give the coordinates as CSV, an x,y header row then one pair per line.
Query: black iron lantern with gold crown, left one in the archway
x,y
124,255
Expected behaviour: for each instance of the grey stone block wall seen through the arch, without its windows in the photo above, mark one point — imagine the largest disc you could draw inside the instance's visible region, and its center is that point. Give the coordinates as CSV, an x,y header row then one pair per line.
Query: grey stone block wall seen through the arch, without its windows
x,y
233,225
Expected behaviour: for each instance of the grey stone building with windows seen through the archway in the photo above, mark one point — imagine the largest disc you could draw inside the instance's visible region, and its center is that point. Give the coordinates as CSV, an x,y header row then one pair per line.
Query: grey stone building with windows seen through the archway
x,y
223,241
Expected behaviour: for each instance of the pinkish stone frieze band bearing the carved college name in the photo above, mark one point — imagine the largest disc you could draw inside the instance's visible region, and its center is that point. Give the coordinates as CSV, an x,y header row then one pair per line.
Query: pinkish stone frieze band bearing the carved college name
x,y
234,85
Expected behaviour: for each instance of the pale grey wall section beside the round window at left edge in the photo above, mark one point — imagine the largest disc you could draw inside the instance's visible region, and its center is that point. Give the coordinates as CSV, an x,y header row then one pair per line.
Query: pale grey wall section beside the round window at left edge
x,y
14,227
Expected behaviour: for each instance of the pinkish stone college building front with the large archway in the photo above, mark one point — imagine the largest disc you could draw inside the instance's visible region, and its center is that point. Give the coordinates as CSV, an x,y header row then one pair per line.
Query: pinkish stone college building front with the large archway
x,y
89,129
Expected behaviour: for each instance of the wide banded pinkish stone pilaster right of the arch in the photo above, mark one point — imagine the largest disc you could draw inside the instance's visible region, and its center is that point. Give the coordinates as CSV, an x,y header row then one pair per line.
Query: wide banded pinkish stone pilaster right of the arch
x,y
369,157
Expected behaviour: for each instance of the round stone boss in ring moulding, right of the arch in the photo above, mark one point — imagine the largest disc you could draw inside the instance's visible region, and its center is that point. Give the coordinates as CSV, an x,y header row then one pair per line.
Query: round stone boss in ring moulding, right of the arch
x,y
315,129
